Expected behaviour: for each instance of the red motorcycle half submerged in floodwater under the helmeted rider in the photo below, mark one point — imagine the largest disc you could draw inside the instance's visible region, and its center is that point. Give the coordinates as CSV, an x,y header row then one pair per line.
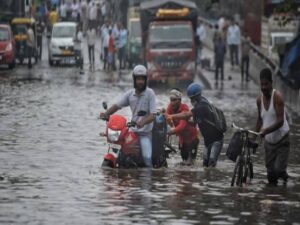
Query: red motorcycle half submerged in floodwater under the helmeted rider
x,y
124,149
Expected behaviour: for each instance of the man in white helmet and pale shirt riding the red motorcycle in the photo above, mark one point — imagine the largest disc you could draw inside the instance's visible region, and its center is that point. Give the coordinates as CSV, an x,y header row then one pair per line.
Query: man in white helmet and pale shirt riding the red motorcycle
x,y
142,102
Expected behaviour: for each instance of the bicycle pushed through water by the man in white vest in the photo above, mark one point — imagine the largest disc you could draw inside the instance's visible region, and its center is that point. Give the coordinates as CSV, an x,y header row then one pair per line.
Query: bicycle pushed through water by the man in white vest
x,y
243,170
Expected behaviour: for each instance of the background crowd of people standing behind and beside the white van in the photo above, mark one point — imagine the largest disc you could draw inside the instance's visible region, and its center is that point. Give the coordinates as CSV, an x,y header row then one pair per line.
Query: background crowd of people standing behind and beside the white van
x,y
93,22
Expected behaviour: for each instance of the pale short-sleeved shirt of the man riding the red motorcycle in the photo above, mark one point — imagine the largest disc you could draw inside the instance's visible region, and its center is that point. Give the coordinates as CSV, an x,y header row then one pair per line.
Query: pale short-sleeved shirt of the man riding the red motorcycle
x,y
146,101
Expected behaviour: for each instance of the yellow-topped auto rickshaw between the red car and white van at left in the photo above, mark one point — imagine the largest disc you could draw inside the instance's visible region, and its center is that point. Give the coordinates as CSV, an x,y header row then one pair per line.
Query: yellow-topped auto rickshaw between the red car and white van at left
x,y
19,28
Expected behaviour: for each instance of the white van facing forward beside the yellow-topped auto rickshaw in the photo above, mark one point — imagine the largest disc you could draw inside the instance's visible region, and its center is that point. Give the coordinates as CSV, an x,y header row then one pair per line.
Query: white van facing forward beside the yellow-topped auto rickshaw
x,y
61,46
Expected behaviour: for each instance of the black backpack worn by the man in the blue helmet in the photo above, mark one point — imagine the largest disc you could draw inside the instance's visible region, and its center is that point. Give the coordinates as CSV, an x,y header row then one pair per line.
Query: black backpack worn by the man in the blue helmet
x,y
219,118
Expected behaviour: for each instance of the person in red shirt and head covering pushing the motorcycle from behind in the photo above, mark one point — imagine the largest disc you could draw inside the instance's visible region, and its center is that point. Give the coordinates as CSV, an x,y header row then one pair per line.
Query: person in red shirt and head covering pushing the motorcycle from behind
x,y
185,130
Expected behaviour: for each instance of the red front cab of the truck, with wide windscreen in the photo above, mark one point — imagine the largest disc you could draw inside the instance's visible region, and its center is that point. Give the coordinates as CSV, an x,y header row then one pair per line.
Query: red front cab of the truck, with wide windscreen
x,y
170,51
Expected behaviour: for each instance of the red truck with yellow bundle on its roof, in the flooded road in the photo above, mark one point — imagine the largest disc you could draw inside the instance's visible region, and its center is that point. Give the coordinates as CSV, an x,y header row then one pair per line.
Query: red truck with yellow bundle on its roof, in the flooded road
x,y
168,39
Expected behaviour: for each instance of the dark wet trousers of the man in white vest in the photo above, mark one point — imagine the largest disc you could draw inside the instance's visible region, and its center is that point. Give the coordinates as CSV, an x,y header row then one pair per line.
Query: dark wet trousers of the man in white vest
x,y
276,159
